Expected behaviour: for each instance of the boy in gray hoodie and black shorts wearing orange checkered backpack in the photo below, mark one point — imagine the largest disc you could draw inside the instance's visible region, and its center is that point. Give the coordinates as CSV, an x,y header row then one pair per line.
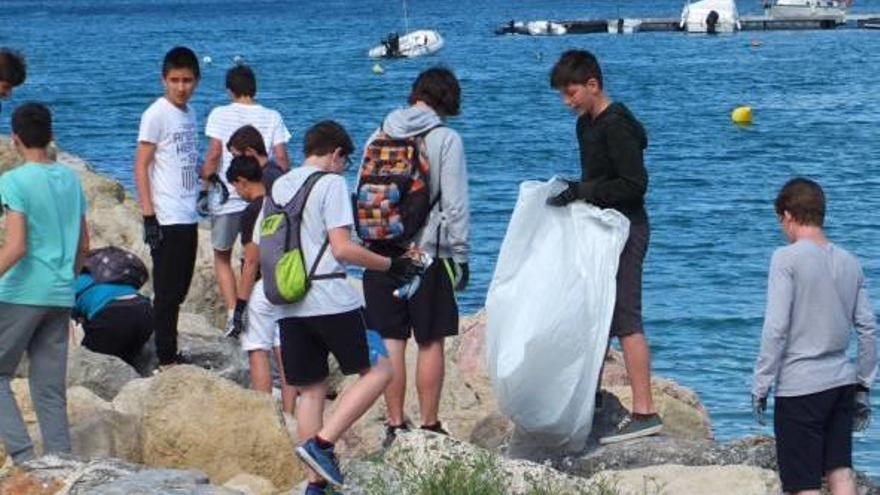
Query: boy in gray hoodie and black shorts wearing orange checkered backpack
x,y
431,314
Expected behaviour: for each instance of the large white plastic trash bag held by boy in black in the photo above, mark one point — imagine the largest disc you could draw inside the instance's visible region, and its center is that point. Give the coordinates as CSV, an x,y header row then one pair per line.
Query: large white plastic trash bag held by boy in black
x,y
549,310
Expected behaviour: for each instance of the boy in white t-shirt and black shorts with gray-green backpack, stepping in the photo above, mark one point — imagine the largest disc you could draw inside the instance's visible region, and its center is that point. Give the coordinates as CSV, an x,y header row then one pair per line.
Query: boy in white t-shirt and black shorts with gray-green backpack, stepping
x,y
330,317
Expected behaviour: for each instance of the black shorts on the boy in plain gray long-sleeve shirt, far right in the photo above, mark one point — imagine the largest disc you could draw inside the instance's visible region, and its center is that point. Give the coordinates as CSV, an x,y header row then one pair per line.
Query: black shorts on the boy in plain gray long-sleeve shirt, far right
x,y
813,436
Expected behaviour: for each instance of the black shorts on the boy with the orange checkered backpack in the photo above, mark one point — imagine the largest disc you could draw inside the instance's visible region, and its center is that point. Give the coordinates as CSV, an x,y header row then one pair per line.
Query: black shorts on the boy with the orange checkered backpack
x,y
430,314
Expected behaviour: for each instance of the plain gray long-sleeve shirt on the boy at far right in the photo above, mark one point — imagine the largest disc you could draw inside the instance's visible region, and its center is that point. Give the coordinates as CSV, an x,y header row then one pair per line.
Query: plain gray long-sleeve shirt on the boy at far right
x,y
815,296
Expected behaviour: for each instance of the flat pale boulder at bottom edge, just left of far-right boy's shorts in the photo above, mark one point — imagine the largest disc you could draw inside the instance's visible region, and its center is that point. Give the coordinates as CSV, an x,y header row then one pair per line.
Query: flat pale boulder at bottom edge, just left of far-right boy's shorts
x,y
686,480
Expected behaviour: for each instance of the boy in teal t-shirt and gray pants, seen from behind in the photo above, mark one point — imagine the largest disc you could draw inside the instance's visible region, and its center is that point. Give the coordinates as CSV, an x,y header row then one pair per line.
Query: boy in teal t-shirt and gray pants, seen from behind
x,y
45,241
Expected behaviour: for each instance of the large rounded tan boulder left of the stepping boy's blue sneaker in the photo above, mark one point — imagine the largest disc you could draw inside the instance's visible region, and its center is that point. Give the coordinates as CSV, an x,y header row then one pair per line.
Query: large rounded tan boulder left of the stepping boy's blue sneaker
x,y
194,419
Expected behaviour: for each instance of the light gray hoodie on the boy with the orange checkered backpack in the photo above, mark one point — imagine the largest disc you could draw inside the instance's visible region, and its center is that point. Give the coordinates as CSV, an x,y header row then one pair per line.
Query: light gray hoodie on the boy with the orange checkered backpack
x,y
448,179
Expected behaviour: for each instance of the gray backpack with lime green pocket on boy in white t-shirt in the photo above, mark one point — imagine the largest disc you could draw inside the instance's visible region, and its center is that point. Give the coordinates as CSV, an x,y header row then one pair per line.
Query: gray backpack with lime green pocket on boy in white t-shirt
x,y
282,261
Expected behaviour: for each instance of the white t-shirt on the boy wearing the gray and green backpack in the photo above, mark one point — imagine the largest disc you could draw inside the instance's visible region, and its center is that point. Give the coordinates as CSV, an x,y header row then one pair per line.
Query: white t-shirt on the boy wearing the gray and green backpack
x,y
328,207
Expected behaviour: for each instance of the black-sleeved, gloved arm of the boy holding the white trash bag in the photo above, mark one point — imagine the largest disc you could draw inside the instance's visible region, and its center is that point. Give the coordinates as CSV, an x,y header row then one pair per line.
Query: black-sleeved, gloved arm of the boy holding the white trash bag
x,y
631,183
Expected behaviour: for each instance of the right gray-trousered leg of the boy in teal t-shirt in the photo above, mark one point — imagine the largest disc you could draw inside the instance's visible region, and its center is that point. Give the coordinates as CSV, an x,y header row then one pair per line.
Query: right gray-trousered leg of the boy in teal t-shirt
x,y
48,379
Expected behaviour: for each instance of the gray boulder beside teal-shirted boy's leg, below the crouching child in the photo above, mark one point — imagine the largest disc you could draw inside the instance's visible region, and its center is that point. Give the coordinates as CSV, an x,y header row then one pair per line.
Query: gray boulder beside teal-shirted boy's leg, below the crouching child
x,y
103,374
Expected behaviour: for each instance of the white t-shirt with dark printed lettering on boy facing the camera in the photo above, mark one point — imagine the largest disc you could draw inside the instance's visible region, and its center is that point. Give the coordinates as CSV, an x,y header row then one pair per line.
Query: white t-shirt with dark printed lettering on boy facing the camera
x,y
174,182
